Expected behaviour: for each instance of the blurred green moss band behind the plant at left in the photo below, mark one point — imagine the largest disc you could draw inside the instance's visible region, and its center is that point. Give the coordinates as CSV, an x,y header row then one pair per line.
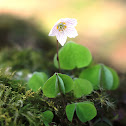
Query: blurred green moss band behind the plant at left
x,y
26,60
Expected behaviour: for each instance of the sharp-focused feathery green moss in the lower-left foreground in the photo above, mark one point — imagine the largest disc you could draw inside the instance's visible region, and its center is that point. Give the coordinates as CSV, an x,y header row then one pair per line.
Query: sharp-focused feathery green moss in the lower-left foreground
x,y
18,106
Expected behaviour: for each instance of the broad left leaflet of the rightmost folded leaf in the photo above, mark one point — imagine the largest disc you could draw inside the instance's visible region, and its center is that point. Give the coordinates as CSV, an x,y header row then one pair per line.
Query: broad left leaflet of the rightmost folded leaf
x,y
93,75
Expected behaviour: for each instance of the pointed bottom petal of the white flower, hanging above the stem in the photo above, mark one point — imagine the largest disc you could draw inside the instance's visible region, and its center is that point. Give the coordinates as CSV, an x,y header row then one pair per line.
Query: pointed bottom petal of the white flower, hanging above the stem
x,y
61,37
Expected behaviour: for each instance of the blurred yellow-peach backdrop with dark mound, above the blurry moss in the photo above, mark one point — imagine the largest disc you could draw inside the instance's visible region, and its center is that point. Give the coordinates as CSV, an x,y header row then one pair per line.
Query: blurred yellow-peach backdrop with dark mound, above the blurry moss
x,y
101,26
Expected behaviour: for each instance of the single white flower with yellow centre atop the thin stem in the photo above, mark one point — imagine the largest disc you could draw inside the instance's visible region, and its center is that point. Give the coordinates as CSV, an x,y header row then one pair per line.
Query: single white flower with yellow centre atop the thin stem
x,y
63,28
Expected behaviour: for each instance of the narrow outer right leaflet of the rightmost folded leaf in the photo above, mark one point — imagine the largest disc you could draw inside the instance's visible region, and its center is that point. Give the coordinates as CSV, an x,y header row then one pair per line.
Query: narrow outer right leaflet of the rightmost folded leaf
x,y
115,79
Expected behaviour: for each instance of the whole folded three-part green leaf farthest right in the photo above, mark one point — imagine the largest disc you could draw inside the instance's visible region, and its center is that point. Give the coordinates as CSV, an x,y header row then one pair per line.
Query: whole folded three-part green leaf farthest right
x,y
101,75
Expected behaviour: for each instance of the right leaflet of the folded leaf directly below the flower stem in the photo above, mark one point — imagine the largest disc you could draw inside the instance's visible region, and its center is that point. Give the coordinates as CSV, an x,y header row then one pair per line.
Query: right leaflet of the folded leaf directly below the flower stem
x,y
68,82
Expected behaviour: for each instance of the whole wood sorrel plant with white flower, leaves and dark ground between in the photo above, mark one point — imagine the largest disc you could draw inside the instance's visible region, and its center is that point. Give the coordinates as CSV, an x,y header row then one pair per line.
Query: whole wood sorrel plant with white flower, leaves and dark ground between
x,y
76,99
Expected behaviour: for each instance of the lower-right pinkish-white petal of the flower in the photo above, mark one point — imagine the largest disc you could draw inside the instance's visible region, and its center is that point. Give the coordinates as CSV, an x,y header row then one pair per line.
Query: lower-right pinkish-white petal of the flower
x,y
71,32
